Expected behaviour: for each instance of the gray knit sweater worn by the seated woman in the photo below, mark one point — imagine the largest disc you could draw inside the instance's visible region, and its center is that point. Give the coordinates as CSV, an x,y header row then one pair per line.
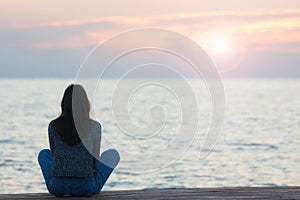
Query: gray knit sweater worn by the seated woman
x,y
78,160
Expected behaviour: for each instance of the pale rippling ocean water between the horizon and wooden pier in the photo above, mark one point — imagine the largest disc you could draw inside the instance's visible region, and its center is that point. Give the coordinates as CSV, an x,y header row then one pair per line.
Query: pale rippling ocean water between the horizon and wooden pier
x,y
259,144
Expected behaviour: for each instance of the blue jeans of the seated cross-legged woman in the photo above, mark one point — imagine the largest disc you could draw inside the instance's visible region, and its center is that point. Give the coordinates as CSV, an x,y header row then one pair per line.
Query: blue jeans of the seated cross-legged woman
x,y
60,186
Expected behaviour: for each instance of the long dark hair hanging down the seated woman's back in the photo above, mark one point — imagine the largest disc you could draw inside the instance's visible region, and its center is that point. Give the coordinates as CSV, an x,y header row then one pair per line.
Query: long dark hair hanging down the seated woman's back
x,y
73,123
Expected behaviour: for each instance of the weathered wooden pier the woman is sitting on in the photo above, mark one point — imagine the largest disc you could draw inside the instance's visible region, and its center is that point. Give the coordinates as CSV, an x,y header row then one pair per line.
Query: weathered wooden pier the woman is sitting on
x,y
188,193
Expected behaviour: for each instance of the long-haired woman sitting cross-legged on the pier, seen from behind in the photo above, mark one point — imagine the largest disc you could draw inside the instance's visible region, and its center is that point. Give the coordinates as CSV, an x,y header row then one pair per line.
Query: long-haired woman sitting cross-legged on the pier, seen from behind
x,y
72,166
